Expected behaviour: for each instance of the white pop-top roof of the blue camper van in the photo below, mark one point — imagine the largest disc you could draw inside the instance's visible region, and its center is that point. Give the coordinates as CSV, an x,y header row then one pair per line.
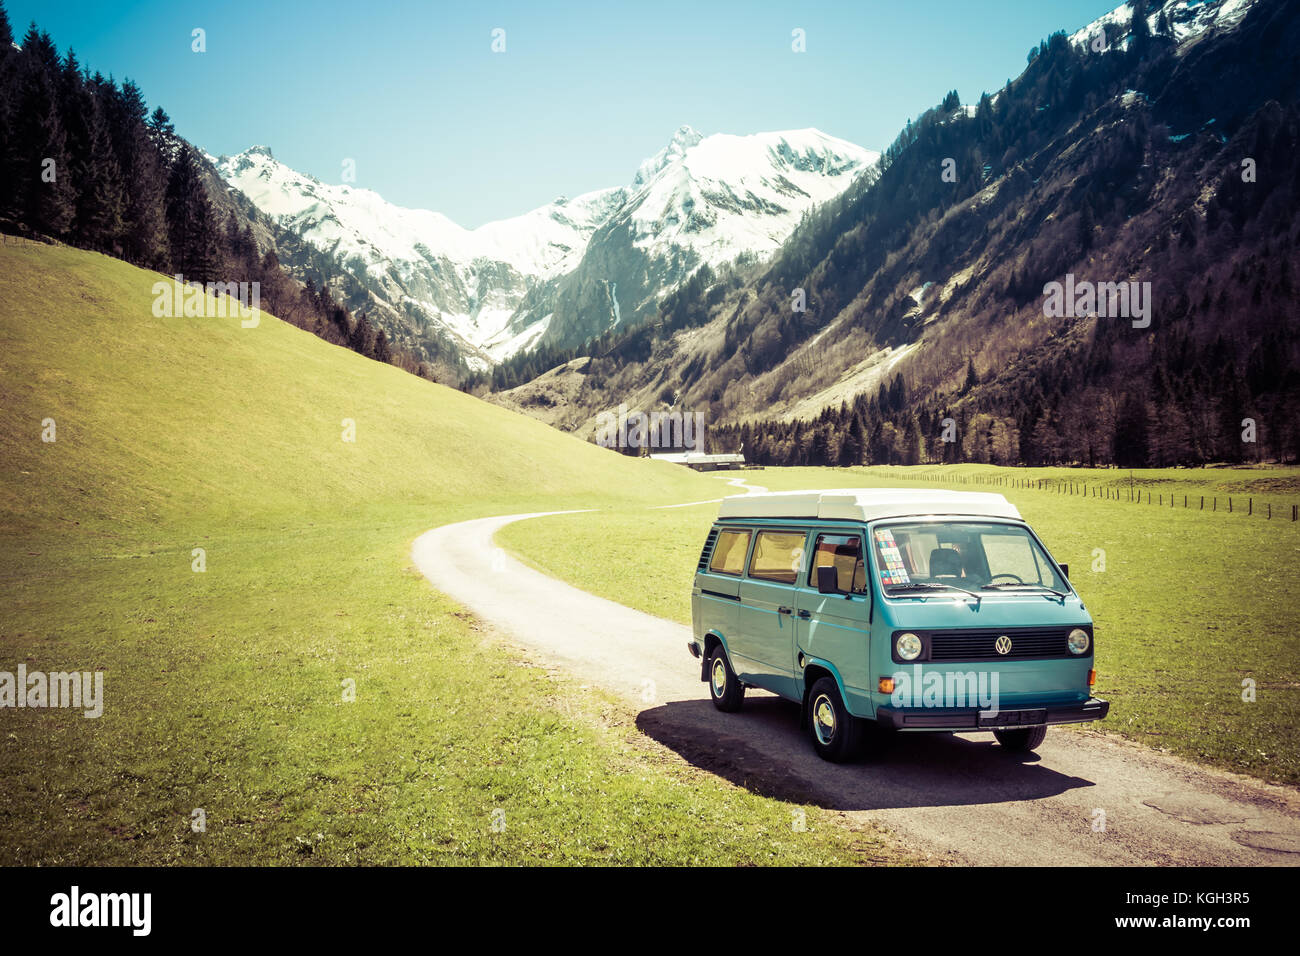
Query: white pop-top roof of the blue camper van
x,y
868,504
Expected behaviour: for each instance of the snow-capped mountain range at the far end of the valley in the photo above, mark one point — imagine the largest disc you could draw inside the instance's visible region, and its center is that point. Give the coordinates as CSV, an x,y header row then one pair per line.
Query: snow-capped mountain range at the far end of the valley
x,y
500,288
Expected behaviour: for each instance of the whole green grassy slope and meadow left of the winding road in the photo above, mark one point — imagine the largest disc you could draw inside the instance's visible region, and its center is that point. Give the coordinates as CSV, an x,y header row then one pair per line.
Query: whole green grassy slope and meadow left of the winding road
x,y
226,689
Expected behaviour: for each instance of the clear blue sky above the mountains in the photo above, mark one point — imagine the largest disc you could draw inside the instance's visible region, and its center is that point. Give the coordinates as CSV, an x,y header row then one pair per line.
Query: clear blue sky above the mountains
x,y
584,92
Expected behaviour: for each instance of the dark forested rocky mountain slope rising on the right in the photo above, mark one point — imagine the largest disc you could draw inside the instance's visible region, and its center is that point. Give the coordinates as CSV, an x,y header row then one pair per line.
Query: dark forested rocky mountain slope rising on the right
x,y
1164,155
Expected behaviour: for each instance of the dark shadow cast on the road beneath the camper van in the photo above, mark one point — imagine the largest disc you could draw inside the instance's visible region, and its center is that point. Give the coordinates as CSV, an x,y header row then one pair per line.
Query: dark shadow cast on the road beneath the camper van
x,y
764,750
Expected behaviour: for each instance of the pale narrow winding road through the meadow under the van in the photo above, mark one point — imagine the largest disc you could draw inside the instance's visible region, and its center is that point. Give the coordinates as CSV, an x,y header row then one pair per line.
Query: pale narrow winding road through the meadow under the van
x,y
959,798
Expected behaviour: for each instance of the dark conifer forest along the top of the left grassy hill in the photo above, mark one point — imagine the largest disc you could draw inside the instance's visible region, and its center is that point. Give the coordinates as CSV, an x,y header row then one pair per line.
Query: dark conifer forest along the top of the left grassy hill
x,y
84,162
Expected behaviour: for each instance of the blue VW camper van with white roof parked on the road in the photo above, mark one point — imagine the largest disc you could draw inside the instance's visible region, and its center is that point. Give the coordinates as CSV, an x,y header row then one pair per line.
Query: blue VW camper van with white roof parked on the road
x,y
892,611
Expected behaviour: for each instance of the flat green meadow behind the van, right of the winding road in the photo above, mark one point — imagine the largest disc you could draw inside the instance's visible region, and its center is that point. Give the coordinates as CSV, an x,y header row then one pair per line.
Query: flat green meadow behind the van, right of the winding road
x,y
1189,604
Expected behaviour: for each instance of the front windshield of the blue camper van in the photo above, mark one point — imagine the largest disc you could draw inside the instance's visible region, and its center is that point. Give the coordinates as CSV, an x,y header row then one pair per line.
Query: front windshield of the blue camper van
x,y
968,556
